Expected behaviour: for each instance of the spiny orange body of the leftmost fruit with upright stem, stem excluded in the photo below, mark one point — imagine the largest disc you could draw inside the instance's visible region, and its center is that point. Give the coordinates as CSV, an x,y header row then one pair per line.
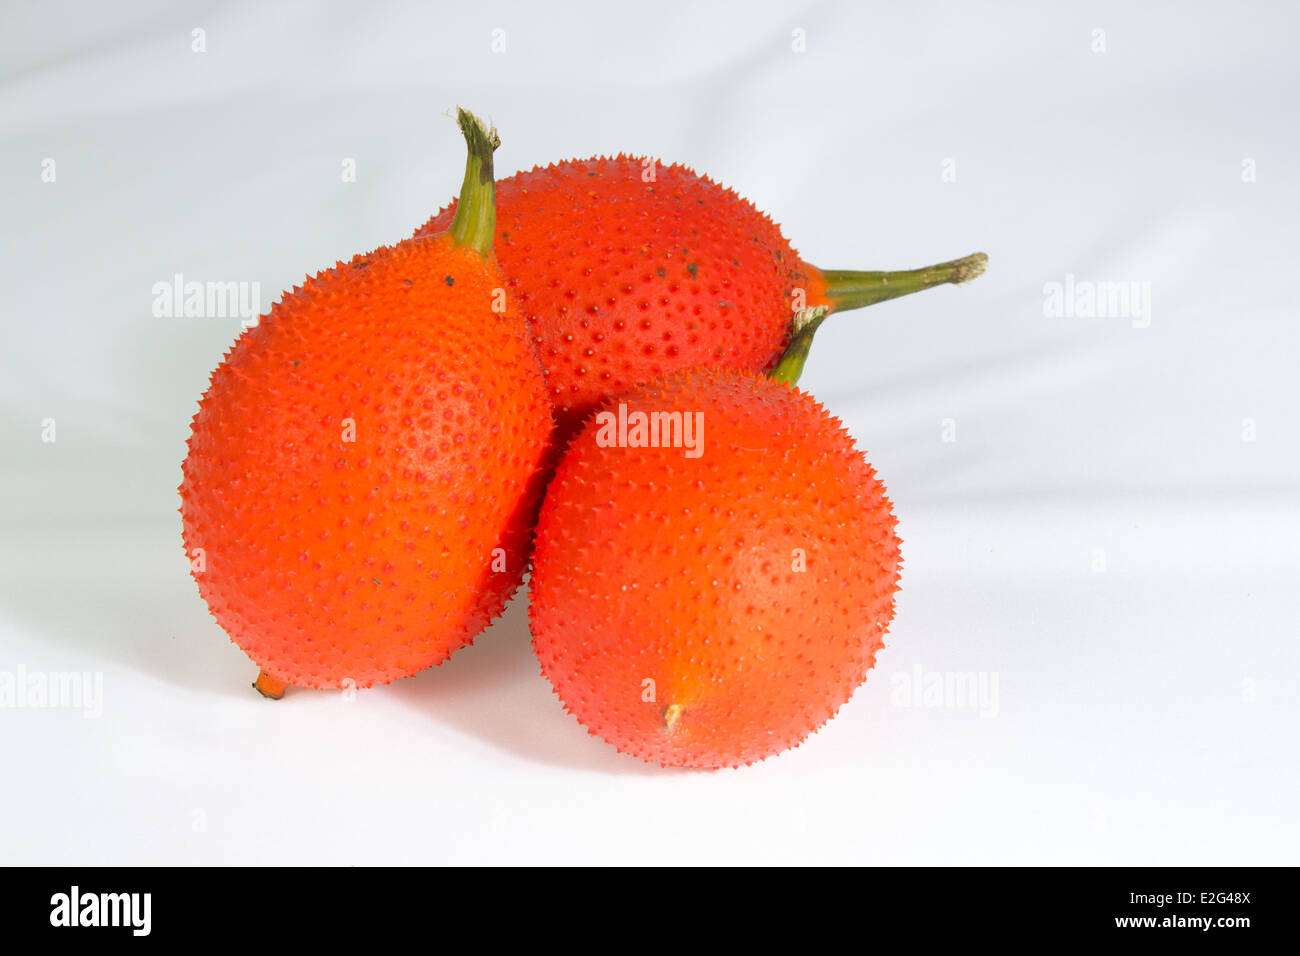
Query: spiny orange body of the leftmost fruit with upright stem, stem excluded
x,y
332,561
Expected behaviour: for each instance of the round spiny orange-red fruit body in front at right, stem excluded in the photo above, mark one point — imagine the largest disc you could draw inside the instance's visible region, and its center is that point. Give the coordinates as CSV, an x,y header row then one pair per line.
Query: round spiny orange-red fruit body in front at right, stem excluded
x,y
713,611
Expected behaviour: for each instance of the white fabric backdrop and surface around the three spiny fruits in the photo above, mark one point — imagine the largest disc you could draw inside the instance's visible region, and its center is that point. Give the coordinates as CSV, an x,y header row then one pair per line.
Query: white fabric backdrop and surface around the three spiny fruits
x,y
1146,713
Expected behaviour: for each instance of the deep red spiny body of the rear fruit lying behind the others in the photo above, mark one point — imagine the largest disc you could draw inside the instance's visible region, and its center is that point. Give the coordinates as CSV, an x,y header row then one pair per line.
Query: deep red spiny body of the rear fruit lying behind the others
x,y
622,279
